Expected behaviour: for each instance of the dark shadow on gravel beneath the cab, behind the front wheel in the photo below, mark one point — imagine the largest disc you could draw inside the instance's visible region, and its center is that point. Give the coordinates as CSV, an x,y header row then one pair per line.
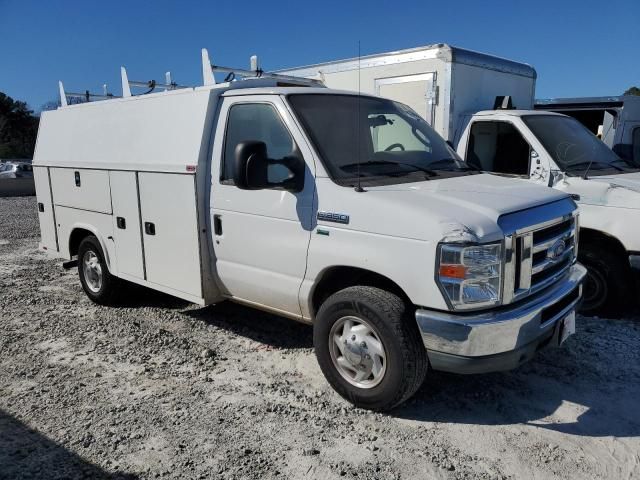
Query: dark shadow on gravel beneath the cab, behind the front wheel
x,y
260,326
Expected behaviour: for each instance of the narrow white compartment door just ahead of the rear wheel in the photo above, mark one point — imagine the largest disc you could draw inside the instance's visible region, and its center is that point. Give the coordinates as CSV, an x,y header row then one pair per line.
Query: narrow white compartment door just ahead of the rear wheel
x,y
126,223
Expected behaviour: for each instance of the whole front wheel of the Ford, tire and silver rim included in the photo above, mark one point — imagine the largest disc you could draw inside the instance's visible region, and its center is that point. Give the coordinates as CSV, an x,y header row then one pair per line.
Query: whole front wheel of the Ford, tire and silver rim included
x,y
368,346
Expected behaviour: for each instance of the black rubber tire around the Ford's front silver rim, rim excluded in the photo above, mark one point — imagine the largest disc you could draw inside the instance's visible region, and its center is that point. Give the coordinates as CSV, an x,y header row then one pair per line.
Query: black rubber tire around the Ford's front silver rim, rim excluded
x,y
392,319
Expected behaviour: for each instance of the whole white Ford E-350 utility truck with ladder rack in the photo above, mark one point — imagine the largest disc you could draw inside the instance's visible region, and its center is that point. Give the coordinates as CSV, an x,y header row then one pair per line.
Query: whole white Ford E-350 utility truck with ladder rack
x,y
296,200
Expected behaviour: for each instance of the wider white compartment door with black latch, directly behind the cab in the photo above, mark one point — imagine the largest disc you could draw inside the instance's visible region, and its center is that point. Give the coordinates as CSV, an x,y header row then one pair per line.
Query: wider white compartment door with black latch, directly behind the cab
x,y
170,231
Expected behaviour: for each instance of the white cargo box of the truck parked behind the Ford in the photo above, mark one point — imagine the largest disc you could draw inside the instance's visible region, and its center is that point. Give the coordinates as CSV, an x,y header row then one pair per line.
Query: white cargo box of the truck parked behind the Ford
x,y
442,83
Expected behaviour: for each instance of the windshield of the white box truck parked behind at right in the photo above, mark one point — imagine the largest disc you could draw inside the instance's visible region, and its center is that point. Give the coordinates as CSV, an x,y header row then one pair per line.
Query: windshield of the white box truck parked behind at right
x,y
574,148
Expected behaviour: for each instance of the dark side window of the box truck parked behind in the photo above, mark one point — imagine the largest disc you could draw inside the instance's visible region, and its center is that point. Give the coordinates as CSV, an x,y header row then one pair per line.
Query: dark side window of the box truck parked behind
x,y
498,147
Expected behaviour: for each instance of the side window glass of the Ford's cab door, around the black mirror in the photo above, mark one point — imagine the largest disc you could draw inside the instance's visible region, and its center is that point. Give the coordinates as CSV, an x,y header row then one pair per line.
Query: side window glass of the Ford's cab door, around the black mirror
x,y
256,122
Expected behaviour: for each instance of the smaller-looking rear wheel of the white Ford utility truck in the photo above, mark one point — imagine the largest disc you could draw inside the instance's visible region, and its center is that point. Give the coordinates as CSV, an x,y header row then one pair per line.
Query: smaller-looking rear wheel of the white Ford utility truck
x,y
97,282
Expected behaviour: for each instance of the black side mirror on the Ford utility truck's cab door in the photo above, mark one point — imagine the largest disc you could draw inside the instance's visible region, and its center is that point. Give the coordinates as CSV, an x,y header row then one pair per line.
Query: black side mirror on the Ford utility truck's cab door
x,y
251,168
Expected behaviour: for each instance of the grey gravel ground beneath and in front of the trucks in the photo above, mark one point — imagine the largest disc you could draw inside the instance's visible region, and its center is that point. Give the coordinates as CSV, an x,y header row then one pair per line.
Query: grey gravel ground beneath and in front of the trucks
x,y
159,388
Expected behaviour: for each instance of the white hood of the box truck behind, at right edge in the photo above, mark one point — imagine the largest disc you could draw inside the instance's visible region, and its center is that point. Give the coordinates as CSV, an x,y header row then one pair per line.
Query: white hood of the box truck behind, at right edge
x,y
621,190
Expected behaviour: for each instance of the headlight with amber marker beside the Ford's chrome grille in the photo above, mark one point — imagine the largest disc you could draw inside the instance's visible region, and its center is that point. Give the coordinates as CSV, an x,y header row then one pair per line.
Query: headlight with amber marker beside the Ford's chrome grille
x,y
470,276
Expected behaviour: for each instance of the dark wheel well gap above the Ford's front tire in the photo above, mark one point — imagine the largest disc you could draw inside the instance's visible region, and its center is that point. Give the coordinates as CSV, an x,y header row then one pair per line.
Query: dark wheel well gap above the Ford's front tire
x,y
338,278
